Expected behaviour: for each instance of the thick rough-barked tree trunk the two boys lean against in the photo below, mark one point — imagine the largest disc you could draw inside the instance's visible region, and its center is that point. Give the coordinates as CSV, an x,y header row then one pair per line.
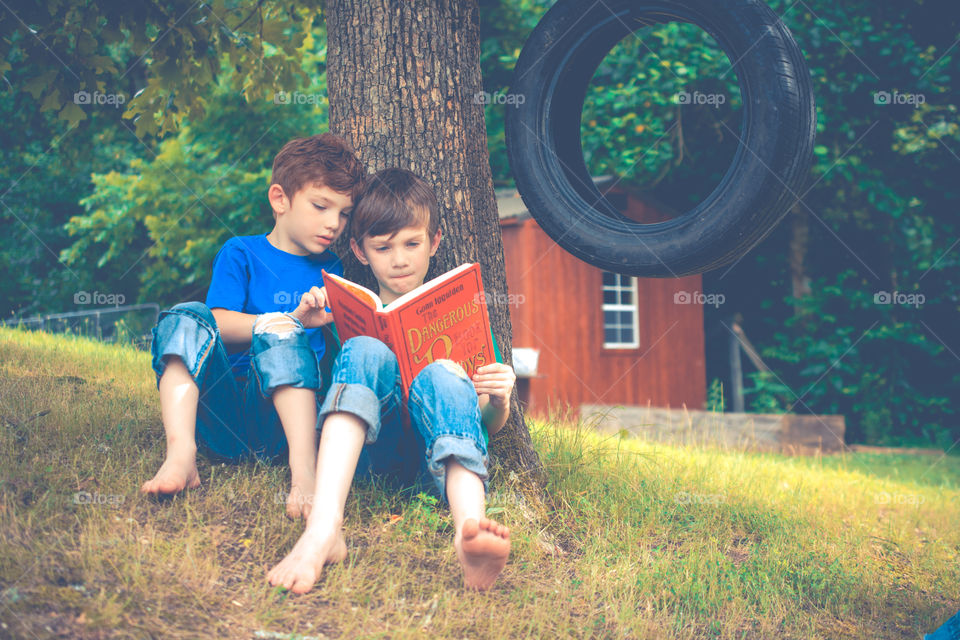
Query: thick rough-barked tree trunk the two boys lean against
x,y
402,78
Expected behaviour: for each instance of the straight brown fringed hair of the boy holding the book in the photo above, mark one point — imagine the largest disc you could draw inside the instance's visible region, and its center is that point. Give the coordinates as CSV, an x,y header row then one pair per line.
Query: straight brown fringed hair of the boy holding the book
x,y
394,199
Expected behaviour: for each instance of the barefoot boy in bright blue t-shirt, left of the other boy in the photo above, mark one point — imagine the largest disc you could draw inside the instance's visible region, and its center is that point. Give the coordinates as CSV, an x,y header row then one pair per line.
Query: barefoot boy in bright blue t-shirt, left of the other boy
x,y
239,376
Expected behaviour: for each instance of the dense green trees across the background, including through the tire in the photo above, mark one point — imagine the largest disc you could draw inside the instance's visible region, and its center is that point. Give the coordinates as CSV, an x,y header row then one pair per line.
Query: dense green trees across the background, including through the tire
x,y
135,198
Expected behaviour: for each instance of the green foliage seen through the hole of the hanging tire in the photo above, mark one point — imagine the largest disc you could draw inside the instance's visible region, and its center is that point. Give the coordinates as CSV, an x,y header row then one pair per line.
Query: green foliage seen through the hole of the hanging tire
x,y
638,100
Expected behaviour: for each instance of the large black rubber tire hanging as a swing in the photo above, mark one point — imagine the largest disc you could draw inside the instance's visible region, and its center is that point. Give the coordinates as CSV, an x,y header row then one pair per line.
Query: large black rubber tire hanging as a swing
x,y
546,158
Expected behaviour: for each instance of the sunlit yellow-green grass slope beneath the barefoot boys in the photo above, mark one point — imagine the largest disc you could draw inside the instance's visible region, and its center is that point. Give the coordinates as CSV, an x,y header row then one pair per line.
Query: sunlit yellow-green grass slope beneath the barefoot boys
x,y
641,540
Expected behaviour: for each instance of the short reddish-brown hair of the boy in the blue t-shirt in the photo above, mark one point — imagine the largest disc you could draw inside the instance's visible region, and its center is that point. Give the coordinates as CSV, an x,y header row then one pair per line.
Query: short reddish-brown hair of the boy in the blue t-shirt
x,y
323,159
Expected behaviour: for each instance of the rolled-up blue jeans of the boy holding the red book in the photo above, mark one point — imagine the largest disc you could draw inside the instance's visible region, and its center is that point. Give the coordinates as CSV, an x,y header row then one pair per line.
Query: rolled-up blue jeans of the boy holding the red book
x,y
442,408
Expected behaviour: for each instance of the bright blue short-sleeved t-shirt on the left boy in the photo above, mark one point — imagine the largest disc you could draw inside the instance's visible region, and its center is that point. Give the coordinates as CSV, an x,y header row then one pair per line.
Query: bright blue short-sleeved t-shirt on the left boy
x,y
250,275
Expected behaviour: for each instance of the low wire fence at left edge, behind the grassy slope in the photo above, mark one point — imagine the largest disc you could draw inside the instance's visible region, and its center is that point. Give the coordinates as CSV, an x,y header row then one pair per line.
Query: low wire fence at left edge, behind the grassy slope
x,y
126,324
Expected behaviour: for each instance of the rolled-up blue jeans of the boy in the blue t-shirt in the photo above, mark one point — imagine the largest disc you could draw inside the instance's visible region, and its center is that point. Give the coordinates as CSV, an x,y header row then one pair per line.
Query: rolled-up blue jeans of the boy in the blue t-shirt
x,y
236,419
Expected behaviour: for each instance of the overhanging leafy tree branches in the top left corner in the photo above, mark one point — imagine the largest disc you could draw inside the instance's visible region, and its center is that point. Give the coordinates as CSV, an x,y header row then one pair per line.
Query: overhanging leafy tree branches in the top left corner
x,y
182,43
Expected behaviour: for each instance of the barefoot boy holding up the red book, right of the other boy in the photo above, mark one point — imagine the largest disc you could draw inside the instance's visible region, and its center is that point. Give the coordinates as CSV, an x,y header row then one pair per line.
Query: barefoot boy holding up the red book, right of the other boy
x,y
395,230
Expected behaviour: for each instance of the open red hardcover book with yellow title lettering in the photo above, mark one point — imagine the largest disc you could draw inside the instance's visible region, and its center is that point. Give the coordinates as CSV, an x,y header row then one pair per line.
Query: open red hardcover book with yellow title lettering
x,y
443,318
